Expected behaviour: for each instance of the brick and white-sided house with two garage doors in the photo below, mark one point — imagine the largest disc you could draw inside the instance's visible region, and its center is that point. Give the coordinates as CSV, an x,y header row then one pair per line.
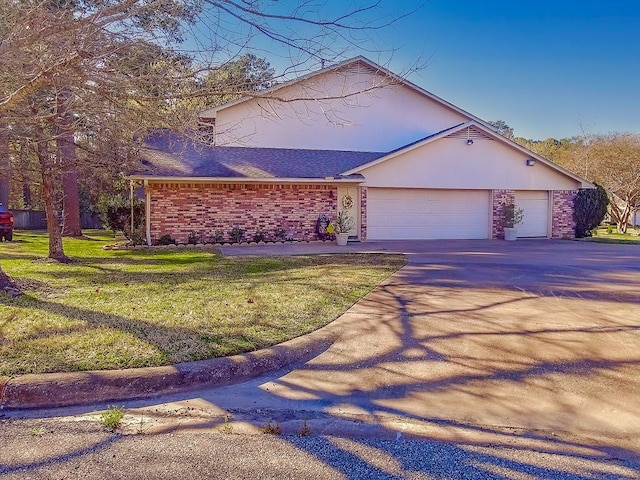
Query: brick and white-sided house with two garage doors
x,y
402,162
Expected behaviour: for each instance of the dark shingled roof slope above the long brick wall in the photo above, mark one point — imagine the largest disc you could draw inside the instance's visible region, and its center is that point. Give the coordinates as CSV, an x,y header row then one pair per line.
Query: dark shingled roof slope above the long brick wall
x,y
168,155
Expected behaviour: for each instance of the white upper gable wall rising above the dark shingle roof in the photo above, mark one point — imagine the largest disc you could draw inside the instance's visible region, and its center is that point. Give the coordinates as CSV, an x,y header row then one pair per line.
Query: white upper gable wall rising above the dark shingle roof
x,y
354,108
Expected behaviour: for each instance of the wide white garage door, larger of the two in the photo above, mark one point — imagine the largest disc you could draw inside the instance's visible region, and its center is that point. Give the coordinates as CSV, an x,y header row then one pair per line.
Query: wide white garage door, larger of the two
x,y
415,214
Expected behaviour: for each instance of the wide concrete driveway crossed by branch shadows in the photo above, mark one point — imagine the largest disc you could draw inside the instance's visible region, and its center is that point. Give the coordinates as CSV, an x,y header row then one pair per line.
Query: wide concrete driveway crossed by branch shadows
x,y
537,335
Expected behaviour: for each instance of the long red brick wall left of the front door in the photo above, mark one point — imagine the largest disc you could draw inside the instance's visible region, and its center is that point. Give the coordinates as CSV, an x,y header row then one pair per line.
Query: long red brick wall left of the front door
x,y
179,209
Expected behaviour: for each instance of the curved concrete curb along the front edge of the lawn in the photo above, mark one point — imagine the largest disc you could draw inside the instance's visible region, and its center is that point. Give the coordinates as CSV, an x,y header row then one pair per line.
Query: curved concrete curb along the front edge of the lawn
x,y
50,390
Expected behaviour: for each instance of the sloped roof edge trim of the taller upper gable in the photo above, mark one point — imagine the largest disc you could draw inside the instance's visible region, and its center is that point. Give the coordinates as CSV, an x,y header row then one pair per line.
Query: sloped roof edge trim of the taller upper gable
x,y
272,93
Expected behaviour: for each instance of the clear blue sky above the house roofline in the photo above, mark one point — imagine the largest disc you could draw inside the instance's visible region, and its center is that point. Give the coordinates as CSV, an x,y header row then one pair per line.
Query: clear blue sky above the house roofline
x,y
548,68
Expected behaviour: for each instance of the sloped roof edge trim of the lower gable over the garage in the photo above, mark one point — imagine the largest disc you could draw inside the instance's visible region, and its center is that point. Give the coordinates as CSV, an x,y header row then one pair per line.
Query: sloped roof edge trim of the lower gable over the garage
x,y
472,129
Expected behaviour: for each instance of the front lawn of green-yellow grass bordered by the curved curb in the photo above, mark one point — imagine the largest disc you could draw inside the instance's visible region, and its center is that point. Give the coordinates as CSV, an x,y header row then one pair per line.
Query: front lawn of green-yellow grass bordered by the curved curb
x,y
113,309
